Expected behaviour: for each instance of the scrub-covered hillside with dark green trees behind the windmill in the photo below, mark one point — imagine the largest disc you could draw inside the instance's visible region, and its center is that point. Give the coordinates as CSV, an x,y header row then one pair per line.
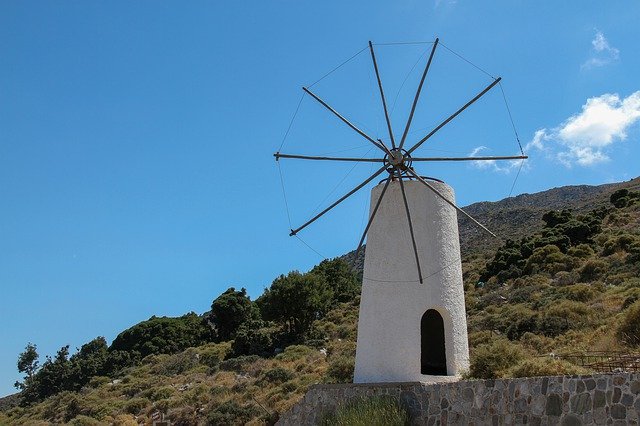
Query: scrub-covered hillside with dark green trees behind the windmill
x,y
568,283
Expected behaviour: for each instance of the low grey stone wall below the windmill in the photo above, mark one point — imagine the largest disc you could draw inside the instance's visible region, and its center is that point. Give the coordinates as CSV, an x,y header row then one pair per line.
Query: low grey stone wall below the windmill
x,y
612,399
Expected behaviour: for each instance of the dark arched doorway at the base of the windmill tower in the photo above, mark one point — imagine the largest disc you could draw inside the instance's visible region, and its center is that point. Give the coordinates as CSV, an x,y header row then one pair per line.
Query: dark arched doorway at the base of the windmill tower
x,y
433,360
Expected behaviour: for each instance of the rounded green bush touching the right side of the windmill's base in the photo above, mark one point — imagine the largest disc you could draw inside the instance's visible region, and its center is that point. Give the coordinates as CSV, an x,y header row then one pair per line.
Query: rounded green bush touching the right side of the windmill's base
x,y
493,360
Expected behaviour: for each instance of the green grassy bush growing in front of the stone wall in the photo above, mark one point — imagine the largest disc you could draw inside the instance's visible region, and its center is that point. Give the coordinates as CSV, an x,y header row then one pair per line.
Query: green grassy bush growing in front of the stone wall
x,y
378,411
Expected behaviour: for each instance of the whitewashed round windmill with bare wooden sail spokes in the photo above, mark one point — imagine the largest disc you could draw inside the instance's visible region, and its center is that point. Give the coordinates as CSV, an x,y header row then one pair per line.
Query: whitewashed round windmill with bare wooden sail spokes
x,y
411,327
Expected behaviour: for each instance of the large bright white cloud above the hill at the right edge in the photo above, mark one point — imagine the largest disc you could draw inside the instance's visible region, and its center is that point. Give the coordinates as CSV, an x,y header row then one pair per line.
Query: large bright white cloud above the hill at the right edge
x,y
584,138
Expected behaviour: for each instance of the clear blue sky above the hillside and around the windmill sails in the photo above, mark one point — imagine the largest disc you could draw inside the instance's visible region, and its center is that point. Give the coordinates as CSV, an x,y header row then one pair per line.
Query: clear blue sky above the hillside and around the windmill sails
x,y
136,138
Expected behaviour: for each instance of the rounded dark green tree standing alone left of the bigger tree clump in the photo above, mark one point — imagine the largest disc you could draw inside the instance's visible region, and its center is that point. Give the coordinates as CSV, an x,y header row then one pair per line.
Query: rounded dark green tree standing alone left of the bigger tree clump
x,y
229,311
